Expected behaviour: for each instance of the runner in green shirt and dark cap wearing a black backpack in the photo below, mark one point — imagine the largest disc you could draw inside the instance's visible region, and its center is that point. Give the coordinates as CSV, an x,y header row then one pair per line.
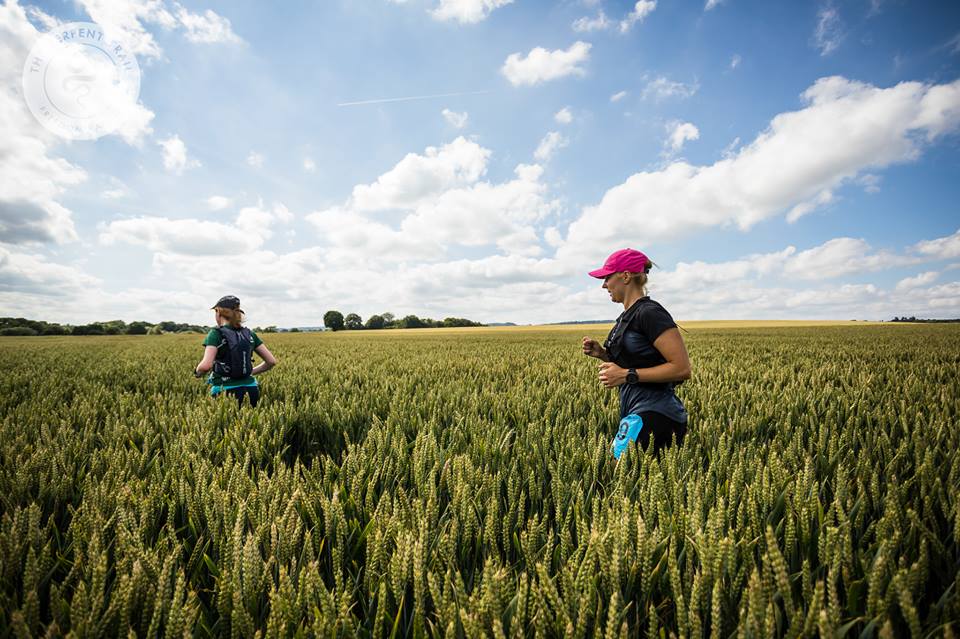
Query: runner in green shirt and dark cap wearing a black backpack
x,y
216,350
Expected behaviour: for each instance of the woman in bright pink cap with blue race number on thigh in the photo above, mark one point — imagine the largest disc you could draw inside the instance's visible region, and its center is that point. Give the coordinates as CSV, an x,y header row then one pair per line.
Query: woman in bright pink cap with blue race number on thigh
x,y
644,356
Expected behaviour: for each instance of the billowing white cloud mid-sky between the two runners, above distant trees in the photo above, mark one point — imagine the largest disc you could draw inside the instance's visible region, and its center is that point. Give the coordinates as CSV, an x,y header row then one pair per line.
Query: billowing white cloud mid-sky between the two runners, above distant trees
x,y
442,202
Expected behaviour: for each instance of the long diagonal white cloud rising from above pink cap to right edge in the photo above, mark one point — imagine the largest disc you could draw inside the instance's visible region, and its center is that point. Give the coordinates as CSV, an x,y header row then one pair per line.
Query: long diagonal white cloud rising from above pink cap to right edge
x,y
846,128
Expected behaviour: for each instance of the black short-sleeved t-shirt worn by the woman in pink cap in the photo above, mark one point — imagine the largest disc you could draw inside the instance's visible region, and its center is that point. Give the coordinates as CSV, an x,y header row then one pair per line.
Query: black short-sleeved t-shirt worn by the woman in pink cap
x,y
630,345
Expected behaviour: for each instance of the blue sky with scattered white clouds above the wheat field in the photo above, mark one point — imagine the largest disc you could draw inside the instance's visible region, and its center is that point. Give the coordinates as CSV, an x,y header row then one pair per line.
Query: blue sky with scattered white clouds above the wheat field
x,y
775,159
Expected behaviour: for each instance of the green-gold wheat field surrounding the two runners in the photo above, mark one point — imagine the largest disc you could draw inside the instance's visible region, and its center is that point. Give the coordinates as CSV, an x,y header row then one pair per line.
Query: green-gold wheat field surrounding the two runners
x,y
459,483
